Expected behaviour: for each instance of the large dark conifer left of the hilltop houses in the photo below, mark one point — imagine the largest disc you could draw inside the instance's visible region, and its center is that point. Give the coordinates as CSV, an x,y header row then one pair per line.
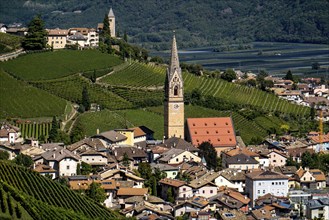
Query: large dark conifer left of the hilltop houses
x,y
35,38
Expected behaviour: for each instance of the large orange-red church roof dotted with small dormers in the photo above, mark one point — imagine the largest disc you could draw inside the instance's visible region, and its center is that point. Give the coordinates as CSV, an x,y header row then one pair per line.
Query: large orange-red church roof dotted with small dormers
x,y
218,131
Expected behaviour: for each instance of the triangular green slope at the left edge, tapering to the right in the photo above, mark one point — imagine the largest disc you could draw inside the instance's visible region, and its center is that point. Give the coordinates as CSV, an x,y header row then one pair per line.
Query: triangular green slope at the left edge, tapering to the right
x,y
20,100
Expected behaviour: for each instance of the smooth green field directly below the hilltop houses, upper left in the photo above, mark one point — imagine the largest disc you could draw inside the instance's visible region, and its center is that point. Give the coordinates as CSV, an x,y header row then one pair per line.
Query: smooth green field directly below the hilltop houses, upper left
x,y
57,64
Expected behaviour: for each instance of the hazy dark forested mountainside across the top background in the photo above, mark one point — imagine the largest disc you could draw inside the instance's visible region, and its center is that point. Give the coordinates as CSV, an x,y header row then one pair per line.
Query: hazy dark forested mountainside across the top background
x,y
197,23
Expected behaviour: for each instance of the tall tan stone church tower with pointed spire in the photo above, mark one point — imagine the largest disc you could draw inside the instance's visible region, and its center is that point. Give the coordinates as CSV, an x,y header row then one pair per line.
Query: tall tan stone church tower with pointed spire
x,y
174,97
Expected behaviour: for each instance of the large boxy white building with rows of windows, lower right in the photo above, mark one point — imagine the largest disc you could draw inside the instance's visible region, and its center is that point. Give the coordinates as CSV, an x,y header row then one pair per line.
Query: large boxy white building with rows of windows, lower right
x,y
259,183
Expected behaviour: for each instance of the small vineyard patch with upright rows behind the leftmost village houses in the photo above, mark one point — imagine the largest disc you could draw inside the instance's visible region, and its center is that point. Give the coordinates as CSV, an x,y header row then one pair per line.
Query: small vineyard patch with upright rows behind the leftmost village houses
x,y
34,130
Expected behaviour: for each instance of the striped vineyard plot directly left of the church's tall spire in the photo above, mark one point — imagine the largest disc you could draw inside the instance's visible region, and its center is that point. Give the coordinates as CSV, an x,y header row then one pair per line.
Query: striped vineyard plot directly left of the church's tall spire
x,y
137,75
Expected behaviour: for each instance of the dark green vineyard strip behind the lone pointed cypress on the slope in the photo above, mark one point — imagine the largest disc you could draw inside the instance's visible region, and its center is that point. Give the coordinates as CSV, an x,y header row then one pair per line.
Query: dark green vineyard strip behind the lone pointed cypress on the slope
x,y
70,88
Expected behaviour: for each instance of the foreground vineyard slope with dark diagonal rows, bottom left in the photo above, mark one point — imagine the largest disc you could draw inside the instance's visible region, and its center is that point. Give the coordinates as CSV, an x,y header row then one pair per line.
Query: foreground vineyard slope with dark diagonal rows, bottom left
x,y
43,198
